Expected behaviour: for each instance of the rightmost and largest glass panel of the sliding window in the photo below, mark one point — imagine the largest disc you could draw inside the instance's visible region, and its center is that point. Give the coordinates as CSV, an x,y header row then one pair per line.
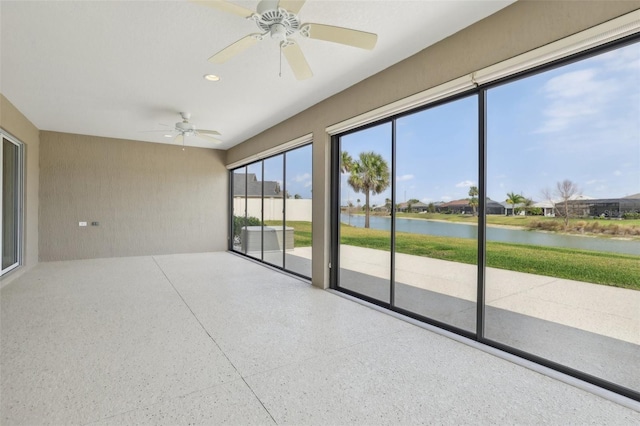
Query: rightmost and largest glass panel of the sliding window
x,y
564,158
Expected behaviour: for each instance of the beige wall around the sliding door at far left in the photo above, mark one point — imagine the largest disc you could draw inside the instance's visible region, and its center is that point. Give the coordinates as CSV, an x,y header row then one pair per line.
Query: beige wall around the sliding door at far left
x,y
16,124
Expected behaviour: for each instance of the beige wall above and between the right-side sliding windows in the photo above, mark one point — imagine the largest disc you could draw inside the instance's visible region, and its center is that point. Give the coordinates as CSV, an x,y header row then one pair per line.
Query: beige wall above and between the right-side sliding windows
x,y
521,27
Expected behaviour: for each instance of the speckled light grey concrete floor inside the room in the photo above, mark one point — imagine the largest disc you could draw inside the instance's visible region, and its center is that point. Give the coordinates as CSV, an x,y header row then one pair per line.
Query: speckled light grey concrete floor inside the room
x,y
213,339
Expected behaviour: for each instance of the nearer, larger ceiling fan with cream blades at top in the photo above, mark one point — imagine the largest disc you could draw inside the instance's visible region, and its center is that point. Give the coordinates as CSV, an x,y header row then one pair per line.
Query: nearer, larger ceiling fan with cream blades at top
x,y
280,21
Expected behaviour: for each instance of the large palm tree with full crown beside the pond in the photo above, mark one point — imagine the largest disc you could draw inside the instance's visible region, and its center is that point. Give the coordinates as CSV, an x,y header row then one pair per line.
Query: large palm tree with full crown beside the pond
x,y
369,175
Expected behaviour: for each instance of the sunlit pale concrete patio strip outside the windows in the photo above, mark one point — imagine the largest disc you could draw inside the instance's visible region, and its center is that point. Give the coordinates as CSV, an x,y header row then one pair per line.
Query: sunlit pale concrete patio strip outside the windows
x,y
600,309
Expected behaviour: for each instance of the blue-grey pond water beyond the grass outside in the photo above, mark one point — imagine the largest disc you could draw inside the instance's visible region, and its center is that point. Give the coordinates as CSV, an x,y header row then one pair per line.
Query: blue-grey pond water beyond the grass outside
x,y
464,230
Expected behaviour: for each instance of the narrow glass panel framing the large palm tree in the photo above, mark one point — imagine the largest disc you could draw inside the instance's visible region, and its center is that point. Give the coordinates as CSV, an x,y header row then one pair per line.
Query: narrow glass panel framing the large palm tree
x,y
365,231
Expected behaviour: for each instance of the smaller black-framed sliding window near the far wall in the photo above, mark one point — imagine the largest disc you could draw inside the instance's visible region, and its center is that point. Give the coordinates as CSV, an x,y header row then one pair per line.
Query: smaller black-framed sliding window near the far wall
x,y
271,210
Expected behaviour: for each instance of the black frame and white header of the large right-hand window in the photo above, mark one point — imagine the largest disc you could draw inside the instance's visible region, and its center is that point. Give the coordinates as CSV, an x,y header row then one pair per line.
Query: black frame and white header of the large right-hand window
x,y
449,92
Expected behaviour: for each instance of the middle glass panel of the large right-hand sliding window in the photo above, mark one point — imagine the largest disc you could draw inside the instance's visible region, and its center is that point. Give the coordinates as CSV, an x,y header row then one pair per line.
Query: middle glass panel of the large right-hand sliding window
x,y
436,213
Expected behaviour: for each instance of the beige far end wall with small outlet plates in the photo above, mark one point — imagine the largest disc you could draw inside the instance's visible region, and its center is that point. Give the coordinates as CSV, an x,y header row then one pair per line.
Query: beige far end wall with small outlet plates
x,y
147,198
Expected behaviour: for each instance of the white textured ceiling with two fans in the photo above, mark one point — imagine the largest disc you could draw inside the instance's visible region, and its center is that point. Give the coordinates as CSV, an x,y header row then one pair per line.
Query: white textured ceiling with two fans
x,y
120,68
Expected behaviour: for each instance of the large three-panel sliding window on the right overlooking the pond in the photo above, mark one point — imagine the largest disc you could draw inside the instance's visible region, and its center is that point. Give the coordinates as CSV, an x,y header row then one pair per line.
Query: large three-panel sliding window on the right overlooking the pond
x,y
509,213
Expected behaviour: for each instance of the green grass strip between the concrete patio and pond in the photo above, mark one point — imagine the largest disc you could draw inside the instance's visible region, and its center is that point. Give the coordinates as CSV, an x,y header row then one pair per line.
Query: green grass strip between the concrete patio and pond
x,y
618,270
